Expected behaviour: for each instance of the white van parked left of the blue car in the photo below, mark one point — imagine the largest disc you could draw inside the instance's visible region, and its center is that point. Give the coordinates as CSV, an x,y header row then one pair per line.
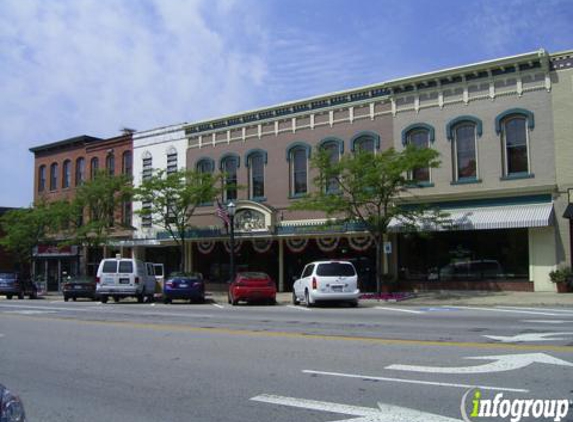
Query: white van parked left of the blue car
x,y
123,277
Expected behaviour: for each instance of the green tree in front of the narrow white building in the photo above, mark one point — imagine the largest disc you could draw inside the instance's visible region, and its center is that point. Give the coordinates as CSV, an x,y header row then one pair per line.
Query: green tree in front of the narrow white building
x,y
170,199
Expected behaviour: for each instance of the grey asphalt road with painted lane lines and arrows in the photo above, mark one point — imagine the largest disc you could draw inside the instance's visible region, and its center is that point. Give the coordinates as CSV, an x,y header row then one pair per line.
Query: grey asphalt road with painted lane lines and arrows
x,y
84,361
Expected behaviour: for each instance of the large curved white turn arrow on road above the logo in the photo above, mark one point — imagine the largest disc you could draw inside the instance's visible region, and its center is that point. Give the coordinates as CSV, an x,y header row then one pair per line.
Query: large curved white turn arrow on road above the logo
x,y
502,363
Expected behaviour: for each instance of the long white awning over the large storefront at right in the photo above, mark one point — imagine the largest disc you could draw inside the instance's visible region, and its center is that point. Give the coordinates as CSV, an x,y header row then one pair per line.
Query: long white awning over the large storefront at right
x,y
490,218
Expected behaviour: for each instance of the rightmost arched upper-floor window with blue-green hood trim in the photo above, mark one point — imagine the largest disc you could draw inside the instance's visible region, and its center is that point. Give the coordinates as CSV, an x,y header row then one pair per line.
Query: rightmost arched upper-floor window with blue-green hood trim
x,y
514,127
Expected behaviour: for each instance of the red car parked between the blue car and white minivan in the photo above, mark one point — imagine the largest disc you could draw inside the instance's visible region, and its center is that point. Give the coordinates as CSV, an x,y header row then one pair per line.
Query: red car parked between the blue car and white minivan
x,y
252,287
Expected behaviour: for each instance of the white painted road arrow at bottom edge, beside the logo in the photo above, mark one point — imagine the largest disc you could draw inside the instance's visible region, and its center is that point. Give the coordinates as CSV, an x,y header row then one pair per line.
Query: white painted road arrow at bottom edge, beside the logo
x,y
384,412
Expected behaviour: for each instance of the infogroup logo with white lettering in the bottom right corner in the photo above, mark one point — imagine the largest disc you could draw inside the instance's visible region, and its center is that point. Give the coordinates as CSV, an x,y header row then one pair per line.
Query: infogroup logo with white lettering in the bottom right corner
x,y
499,408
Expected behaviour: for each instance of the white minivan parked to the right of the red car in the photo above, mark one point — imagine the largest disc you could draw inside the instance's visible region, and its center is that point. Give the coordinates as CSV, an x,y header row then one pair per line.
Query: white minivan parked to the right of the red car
x,y
327,281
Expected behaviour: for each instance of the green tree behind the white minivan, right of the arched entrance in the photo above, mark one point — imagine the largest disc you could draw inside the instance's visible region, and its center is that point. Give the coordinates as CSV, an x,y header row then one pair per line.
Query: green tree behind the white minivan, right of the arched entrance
x,y
369,189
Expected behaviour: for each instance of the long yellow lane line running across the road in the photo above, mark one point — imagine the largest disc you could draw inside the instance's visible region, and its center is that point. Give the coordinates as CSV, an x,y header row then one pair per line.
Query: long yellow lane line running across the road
x,y
286,334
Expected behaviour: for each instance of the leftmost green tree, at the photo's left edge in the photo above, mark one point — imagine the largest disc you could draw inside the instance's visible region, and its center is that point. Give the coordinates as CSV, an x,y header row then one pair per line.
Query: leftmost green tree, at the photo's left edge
x,y
24,229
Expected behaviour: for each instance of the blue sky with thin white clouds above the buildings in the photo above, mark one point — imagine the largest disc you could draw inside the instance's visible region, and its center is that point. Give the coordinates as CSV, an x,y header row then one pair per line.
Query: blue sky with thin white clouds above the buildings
x,y
72,67
